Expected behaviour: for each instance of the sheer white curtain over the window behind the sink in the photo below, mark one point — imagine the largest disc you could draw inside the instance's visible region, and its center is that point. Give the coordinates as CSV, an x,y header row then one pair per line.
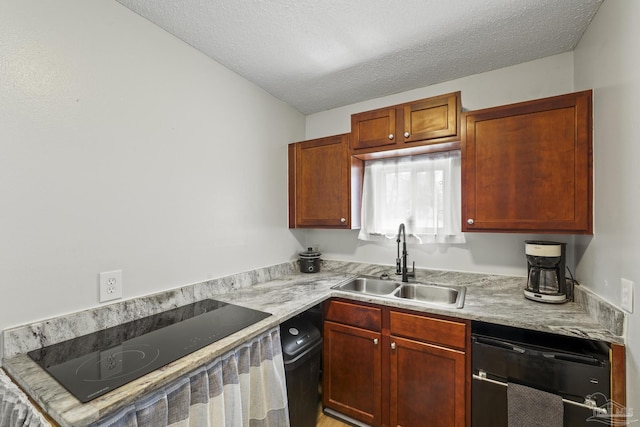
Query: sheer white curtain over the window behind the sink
x,y
423,192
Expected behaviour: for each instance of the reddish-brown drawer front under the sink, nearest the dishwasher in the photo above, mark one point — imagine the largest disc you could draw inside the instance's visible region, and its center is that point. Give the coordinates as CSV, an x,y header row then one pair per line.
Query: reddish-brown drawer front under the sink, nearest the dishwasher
x,y
437,331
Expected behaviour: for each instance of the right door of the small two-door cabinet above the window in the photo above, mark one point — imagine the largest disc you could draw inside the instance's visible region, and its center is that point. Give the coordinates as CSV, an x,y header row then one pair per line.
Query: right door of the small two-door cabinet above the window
x,y
431,118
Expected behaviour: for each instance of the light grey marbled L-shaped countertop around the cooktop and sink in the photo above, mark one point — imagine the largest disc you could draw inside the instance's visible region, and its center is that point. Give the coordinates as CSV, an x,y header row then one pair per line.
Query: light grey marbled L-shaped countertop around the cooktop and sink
x,y
284,293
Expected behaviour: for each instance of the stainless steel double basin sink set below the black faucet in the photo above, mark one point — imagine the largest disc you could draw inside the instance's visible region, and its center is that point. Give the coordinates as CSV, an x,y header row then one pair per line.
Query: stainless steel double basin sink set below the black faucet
x,y
425,293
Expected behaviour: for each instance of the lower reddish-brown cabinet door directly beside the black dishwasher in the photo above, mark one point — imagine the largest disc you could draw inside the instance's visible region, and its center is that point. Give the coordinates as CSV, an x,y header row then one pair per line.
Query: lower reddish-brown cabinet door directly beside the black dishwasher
x,y
427,385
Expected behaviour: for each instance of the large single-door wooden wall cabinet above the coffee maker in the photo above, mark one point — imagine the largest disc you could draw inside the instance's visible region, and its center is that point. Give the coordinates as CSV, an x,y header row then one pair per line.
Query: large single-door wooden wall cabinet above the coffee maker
x,y
527,167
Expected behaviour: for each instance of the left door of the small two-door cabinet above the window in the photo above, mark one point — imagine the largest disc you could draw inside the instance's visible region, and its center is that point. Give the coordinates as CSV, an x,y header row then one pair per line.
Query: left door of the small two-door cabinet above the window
x,y
372,129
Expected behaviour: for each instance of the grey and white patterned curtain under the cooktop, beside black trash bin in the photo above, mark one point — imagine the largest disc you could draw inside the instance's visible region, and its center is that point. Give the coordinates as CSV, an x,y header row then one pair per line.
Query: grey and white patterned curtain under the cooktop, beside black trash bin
x,y
243,388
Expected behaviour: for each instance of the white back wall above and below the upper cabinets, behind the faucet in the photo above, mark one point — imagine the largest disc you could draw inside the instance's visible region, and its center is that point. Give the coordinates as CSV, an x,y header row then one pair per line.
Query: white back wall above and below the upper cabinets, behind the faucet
x,y
485,253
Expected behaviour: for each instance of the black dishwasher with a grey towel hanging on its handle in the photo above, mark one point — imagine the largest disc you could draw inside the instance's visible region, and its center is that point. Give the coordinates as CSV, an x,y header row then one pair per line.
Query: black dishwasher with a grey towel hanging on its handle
x,y
575,369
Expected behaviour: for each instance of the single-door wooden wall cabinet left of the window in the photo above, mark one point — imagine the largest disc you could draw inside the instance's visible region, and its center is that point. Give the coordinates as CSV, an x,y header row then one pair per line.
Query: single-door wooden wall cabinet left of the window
x,y
324,182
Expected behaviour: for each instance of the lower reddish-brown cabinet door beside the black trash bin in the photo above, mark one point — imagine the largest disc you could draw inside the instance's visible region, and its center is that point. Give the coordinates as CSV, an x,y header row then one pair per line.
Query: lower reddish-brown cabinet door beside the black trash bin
x,y
352,371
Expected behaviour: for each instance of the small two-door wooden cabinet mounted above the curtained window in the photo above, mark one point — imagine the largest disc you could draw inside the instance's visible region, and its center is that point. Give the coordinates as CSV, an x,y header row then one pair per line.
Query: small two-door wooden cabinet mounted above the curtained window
x,y
407,126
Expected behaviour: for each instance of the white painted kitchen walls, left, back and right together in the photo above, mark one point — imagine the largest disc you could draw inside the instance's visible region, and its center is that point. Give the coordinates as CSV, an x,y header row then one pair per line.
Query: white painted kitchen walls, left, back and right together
x,y
124,148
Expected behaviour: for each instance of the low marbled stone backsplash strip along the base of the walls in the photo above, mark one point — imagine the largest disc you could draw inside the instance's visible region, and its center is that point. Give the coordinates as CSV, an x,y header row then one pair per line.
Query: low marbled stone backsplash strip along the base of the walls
x,y
22,339
